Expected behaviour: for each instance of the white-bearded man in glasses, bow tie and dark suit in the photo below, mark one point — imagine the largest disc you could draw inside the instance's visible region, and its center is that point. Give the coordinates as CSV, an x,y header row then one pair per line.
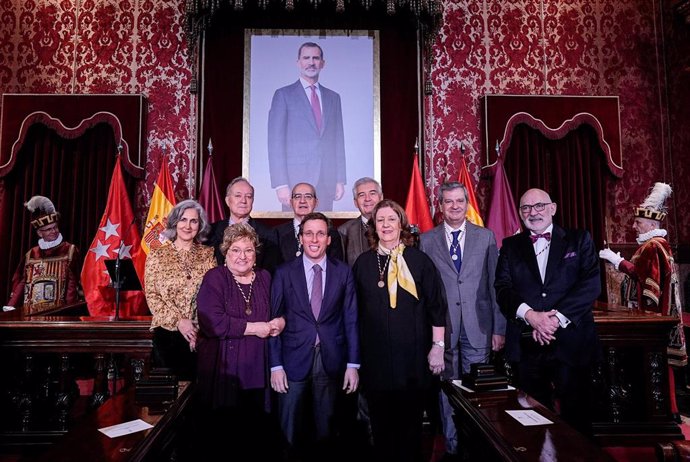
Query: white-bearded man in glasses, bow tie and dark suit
x,y
546,282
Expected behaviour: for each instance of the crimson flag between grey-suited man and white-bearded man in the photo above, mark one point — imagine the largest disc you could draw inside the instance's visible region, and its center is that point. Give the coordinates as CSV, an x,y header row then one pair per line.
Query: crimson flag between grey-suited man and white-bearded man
x,y
503,219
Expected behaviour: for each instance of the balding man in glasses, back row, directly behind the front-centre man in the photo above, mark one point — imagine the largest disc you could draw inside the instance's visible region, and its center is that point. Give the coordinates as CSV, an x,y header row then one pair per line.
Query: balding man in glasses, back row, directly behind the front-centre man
x,y
303,202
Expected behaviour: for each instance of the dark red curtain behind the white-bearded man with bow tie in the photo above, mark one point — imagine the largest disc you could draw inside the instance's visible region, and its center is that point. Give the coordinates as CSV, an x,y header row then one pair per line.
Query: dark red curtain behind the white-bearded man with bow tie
x,y
572,169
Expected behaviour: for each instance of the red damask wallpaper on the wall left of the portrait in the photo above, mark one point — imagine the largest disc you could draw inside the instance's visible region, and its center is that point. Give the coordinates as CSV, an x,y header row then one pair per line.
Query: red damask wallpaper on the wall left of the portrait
x,y
108,46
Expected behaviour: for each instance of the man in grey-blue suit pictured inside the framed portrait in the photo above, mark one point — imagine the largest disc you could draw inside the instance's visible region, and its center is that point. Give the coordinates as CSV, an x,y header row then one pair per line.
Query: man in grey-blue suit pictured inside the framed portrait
x,y
306,142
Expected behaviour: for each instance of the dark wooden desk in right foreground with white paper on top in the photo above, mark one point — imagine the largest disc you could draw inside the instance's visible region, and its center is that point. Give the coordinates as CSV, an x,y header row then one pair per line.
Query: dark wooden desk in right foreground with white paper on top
x,y
488,433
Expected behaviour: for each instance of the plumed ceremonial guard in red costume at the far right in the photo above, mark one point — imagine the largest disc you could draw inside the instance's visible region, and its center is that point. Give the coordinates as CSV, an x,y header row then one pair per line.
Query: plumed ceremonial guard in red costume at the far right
x,y
651,276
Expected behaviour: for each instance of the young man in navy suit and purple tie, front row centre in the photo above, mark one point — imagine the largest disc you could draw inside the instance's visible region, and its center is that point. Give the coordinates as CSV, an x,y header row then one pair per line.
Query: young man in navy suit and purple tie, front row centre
x,y
318,351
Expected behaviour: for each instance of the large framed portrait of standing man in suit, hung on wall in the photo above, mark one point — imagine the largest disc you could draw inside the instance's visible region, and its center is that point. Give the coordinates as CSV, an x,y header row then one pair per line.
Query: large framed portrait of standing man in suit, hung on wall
x,y
311,115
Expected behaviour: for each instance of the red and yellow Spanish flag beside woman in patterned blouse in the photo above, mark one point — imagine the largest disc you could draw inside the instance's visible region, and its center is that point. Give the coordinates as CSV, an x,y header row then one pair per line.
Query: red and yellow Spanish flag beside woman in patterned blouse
x,y
162,201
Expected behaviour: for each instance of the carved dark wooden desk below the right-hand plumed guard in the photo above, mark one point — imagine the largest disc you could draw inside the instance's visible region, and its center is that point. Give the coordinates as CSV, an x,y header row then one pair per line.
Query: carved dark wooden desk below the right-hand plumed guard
x,y
631,383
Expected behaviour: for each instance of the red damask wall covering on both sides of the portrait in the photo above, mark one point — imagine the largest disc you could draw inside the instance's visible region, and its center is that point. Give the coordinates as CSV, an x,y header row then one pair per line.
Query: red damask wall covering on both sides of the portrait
x,y
543,47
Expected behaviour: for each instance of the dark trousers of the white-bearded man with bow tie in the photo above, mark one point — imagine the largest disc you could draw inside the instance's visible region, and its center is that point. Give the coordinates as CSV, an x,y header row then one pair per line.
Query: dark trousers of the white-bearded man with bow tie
x,y
561,387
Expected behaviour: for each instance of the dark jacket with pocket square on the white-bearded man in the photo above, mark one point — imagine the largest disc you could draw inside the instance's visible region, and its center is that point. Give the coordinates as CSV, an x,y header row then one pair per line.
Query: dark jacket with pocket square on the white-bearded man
x,y
571,285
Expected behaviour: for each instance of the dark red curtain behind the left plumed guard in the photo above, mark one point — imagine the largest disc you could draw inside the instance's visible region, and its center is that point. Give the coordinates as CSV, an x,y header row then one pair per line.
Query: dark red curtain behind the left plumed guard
x,y
73,173
